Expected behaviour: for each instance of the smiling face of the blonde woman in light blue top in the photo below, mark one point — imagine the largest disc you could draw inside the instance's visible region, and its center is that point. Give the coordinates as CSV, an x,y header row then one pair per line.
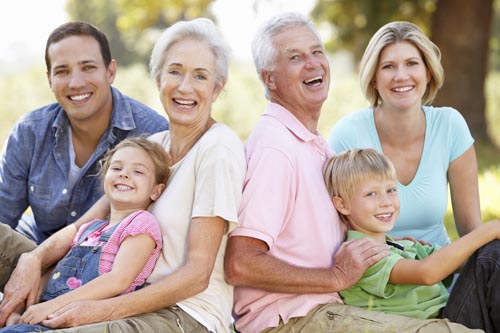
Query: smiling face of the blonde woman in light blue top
x,y
401,77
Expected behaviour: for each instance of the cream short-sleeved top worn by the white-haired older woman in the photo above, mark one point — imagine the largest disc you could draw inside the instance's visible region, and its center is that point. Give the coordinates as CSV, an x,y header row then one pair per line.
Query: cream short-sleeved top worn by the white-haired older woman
x,y
207,182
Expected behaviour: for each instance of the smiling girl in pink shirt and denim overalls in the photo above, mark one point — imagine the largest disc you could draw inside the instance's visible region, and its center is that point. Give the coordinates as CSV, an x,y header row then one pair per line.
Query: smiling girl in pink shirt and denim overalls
x,y
115,256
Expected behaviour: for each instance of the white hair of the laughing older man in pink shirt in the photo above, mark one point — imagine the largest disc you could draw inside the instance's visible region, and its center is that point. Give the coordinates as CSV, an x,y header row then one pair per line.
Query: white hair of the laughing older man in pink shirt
x,y
263,49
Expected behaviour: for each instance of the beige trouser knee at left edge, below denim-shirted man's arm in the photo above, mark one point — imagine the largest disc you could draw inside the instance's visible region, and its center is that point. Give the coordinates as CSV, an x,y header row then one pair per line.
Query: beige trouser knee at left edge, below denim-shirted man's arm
x,y
12,245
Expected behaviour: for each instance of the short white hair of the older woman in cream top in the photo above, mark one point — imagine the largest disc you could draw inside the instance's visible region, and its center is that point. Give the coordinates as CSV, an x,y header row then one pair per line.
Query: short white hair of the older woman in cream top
x,y
200,29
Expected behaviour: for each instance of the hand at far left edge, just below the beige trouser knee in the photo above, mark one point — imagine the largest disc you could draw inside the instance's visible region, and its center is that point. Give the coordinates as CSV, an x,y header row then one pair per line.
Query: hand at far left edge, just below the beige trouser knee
x,y
23,286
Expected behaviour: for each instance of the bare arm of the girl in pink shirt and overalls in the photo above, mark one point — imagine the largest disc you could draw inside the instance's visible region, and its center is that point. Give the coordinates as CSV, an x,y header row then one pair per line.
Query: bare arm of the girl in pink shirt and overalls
x,y
130,260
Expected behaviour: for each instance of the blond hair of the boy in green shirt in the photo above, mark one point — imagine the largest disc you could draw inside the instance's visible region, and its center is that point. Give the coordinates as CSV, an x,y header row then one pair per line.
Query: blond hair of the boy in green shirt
x,y
343,172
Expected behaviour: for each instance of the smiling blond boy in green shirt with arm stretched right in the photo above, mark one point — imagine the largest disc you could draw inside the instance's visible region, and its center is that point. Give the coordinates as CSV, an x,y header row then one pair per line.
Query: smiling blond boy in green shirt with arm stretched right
x,y
362,184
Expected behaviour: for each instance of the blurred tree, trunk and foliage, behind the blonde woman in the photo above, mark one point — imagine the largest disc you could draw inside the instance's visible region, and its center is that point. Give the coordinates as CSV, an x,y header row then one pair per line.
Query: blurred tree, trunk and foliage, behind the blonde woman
x,y
461,29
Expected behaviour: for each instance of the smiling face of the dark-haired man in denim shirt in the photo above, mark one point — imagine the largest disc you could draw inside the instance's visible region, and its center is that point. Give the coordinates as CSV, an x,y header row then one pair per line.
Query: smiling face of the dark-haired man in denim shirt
x,y
80,80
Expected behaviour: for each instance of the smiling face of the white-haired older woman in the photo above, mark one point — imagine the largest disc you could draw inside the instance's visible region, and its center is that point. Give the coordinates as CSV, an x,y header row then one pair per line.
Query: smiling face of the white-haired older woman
x,y
187,84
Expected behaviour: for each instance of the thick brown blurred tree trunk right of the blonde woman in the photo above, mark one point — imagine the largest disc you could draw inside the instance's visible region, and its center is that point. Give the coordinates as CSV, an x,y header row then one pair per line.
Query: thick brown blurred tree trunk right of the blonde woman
x,y
462,29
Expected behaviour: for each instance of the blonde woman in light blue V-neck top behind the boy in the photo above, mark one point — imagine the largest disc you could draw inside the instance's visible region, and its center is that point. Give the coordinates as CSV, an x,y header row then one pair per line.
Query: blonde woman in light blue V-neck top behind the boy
x,y
430,146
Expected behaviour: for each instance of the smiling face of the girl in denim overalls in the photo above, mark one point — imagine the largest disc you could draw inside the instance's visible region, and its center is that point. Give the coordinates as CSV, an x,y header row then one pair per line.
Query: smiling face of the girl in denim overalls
x,y
130,180
